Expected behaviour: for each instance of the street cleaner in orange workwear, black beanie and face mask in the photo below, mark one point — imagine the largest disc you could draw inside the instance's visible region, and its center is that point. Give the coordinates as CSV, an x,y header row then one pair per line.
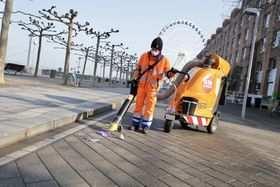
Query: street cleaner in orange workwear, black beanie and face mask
x,y
149,84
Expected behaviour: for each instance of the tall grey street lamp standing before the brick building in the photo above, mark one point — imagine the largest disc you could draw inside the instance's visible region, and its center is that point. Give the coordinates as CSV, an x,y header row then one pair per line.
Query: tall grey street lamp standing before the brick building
x,y
251,12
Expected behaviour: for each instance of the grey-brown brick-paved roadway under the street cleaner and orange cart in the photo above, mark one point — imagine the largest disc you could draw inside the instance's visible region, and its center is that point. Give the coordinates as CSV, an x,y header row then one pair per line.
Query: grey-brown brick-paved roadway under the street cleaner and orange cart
x,y
238,154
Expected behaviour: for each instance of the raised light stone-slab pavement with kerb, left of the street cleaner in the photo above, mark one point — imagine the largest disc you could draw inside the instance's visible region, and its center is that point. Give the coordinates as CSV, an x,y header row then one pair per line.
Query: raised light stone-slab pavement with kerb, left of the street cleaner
x,y
30,106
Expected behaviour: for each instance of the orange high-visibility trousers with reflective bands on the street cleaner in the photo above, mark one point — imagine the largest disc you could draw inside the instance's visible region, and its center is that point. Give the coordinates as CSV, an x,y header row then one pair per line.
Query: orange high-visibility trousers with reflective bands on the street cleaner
x,y
144,96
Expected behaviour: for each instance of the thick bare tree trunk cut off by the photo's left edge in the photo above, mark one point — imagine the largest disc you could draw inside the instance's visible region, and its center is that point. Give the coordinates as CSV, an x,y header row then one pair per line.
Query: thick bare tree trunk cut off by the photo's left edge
x,y
4,37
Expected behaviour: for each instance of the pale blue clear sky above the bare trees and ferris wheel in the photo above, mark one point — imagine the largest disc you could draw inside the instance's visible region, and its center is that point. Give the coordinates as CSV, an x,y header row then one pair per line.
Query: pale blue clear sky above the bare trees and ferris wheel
x,y
138,22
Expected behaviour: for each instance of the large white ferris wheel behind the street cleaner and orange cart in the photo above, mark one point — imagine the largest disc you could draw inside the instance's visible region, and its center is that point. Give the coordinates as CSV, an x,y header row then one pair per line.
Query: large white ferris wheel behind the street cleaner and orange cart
x,y
183,40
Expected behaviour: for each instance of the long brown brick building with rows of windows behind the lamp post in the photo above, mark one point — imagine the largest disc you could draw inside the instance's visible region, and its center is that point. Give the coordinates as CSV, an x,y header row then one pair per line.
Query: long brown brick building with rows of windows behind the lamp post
x,y
233,42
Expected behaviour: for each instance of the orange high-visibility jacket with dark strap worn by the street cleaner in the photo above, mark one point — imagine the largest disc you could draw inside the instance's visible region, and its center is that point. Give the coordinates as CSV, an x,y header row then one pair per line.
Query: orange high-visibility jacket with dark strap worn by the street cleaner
x,y
152,79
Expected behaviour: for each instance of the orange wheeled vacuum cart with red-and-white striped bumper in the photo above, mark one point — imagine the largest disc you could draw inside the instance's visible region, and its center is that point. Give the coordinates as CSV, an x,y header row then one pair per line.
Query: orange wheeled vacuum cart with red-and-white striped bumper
x,y
195,100
